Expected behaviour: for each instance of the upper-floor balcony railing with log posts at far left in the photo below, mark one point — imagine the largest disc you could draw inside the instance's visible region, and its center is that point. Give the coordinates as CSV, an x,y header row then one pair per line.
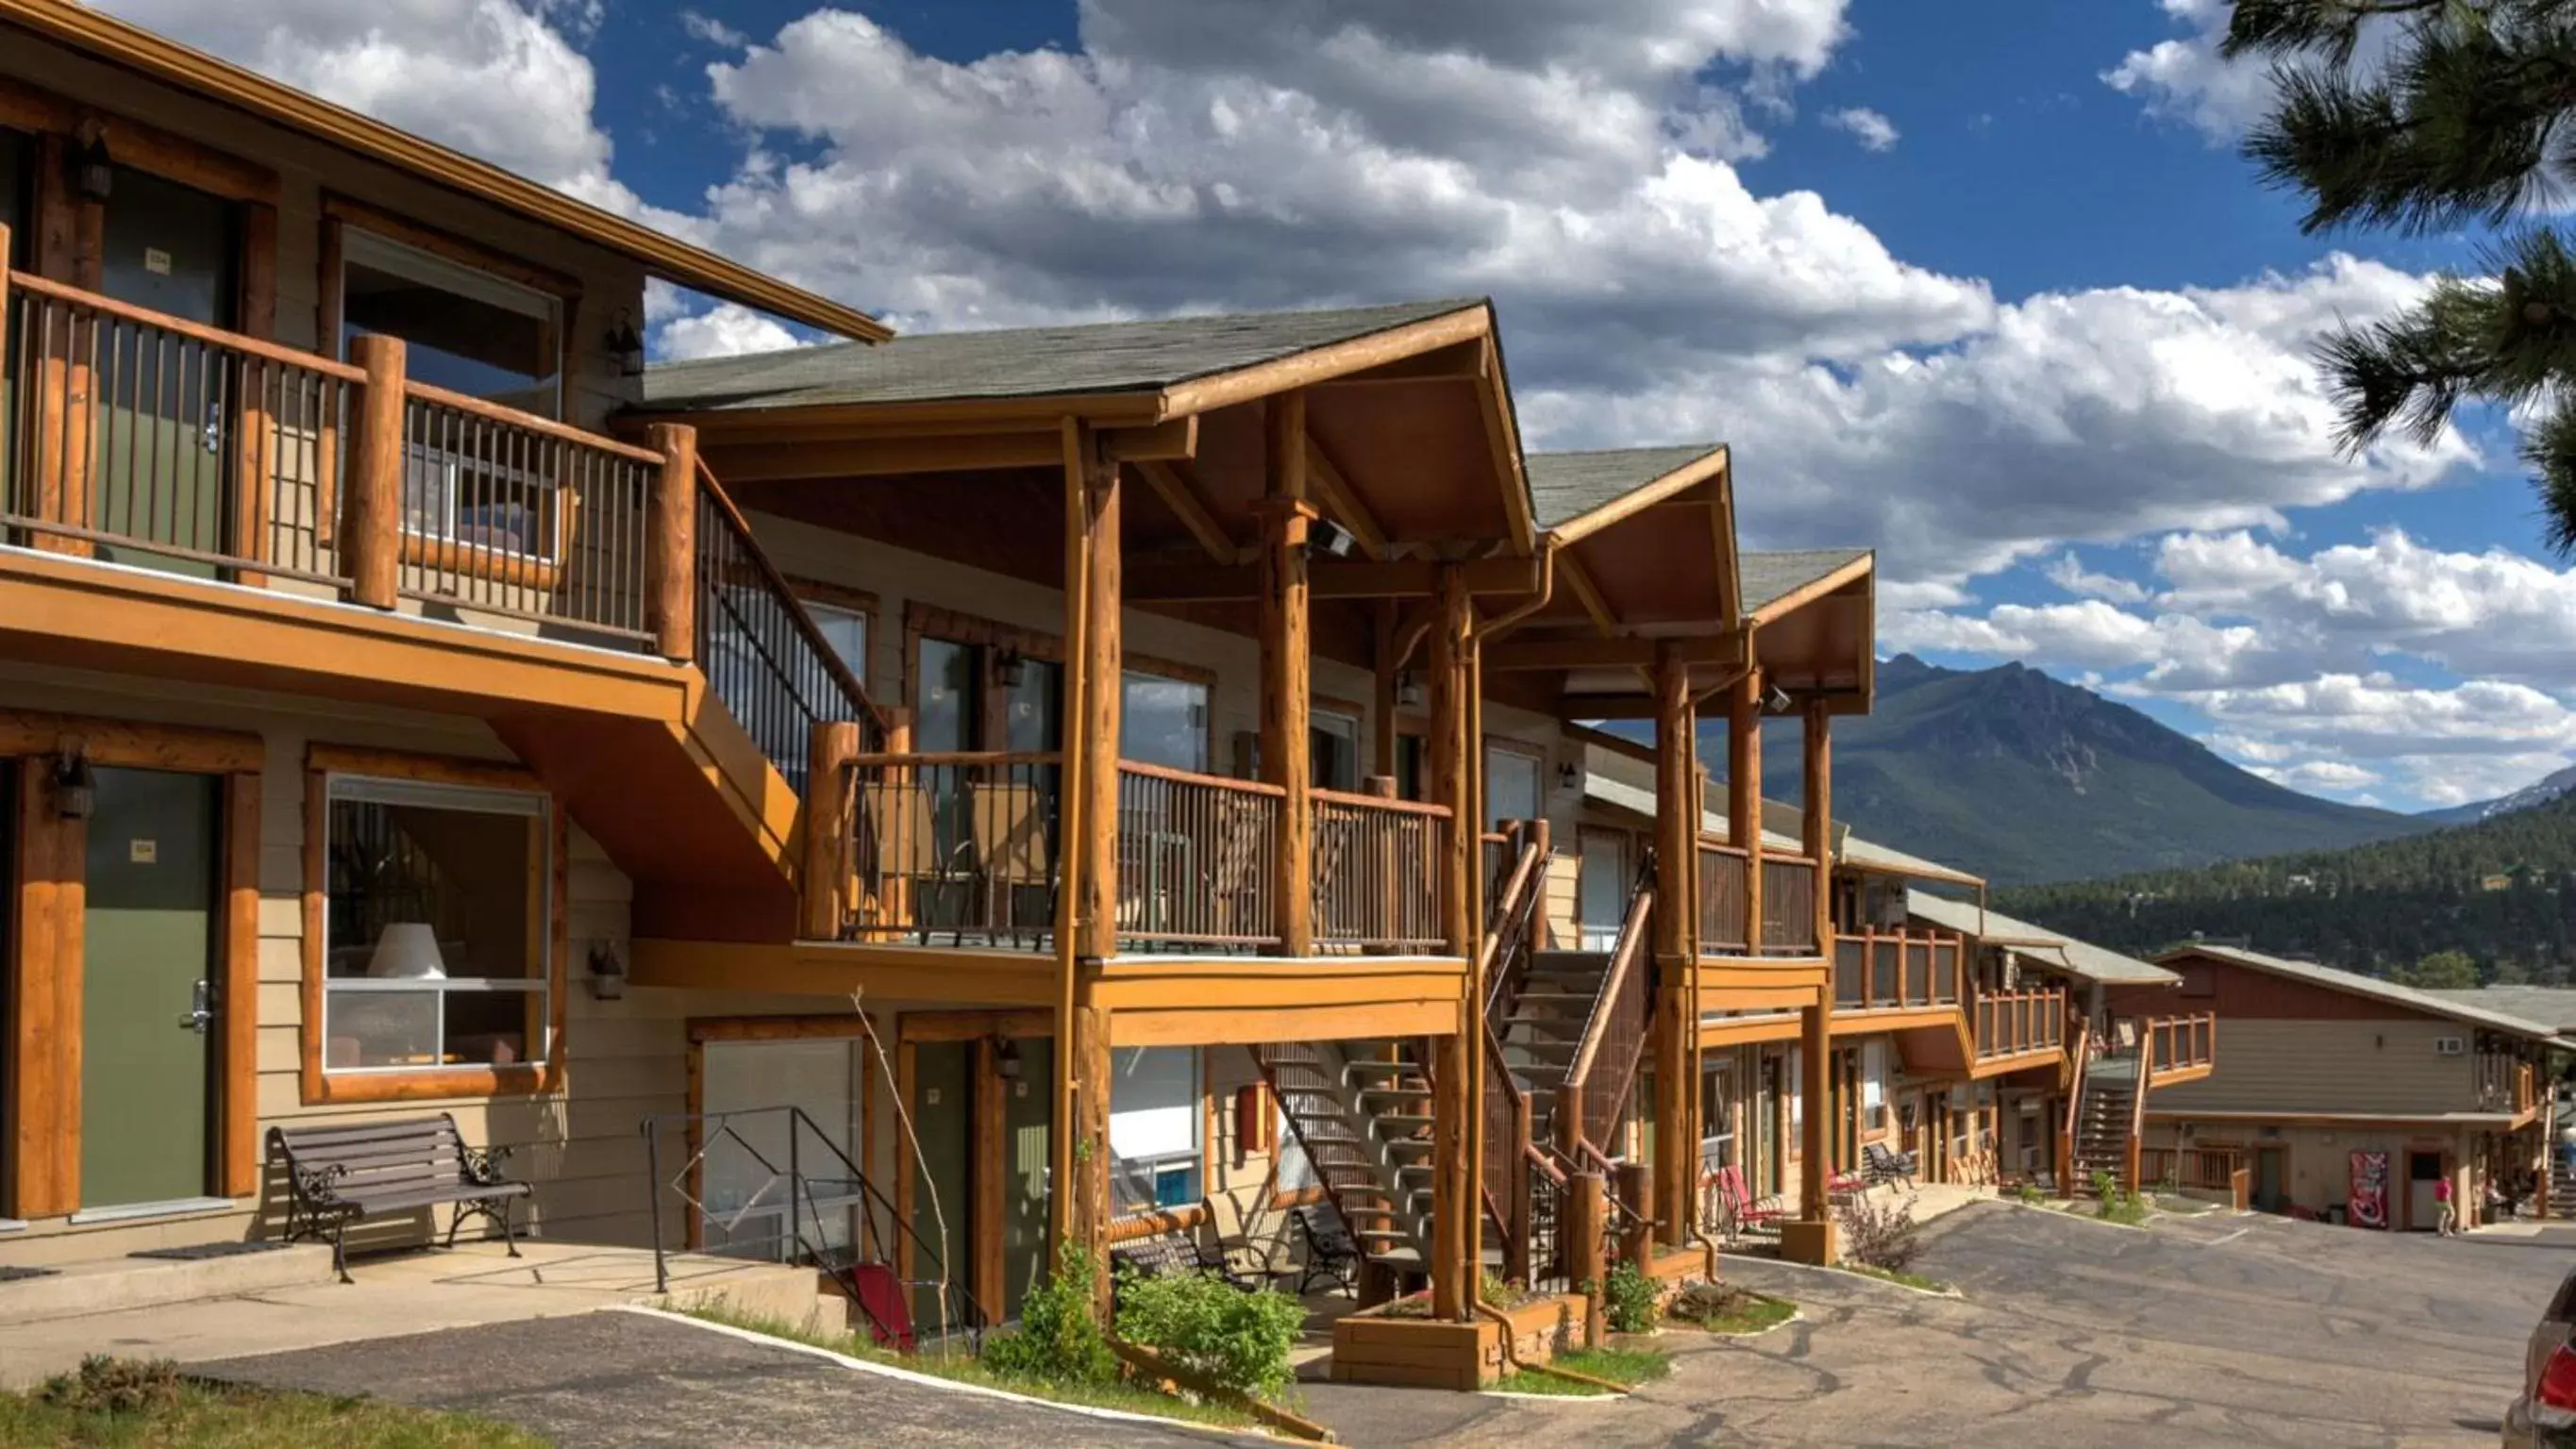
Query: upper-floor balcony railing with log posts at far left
x,y
156,441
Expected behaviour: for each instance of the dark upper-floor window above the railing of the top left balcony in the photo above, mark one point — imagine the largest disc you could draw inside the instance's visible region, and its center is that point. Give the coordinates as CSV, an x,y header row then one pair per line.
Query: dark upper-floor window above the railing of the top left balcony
x,y
462,328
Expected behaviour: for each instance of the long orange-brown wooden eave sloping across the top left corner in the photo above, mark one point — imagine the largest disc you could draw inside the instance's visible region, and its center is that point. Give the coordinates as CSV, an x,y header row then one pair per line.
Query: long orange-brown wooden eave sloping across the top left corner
x,y
220,81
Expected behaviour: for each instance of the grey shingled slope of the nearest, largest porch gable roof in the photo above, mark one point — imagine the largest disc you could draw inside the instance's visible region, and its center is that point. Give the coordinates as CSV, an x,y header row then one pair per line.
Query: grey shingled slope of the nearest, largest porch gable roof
x,y
1024,362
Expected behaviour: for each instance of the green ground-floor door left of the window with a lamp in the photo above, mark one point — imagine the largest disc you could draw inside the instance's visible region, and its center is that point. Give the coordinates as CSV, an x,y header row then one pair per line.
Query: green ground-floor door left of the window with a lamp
x,y
148,964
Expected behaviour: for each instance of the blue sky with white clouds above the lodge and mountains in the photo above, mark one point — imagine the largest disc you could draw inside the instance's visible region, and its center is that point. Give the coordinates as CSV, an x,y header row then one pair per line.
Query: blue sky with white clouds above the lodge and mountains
x,y
1985,287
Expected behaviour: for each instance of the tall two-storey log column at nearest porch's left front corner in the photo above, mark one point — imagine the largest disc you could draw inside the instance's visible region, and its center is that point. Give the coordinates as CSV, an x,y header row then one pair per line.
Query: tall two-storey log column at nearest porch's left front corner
x,y
1088,869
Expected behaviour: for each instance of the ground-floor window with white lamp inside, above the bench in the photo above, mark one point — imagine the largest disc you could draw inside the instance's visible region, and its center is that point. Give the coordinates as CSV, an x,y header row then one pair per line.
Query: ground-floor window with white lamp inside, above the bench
x,y
437,925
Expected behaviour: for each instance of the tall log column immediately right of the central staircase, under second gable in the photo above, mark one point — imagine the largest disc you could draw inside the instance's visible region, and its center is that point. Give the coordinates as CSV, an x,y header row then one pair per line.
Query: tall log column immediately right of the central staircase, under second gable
x,y
1676,951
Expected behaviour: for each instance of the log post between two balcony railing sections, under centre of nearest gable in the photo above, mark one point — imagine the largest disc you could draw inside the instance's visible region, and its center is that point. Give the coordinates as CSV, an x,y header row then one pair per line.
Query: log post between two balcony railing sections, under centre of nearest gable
x,y
1287,658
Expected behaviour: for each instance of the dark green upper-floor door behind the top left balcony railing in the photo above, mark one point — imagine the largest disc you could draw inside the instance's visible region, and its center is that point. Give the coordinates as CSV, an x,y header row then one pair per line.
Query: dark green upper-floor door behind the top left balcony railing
x,y
164,413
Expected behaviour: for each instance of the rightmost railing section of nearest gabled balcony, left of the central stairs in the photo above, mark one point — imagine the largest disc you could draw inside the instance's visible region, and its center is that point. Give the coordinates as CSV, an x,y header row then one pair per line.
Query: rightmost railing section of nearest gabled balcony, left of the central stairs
x,y
1377,871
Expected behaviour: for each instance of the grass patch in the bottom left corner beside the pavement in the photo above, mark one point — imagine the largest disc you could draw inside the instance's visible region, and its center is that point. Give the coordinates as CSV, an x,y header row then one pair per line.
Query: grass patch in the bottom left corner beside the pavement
x,y
120,1401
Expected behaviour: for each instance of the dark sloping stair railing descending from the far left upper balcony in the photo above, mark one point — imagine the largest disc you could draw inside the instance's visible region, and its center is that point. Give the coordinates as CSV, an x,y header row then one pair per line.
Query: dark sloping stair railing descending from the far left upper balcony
x,y
761,650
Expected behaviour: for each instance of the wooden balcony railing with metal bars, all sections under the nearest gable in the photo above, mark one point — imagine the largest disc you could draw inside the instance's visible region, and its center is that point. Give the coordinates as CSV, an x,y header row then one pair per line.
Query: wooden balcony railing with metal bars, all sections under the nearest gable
x,y
965,851
